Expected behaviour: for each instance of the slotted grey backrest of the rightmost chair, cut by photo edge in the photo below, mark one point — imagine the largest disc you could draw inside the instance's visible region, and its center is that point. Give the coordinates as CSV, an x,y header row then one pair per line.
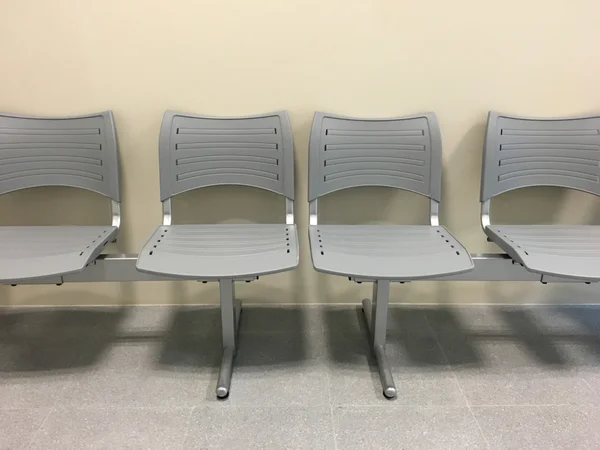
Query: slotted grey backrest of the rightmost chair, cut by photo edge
x,y
523,152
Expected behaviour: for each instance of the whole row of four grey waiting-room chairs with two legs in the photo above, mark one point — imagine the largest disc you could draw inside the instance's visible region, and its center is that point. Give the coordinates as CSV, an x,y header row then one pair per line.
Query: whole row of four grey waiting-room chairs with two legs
x,y
258,151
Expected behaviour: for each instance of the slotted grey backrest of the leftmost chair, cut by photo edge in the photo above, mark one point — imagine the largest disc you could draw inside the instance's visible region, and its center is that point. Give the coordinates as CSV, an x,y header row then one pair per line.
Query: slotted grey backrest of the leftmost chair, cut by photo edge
x,y
79,152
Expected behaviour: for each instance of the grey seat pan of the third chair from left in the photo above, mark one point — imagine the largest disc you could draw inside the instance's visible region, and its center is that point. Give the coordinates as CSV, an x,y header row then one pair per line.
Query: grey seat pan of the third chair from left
x,y
387,252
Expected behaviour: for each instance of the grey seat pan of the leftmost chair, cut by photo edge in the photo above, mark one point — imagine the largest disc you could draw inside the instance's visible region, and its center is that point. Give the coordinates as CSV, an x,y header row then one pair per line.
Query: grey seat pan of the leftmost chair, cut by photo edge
x,y
36,252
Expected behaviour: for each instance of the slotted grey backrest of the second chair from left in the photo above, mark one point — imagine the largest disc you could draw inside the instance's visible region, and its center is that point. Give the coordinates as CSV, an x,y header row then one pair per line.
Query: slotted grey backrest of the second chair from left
x,y
197,151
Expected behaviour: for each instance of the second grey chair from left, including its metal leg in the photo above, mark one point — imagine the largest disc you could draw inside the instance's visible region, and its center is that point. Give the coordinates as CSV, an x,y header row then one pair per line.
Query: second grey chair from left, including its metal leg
x,y
197,152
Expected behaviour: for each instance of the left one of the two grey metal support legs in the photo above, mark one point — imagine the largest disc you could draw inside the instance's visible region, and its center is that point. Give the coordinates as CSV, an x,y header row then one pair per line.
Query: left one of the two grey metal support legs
x,y
231,309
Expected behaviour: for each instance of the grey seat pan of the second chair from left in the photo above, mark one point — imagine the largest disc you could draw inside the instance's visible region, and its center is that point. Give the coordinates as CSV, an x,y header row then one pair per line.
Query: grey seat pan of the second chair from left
x,y
220,251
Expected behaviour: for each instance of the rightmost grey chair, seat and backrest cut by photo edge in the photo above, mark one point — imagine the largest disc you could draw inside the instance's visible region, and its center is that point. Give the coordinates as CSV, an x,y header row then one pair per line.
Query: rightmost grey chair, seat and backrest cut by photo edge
x,y
524,152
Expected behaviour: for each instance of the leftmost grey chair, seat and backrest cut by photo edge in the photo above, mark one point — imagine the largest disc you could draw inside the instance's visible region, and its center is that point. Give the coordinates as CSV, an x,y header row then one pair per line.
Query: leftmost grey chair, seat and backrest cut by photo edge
x,y
79,152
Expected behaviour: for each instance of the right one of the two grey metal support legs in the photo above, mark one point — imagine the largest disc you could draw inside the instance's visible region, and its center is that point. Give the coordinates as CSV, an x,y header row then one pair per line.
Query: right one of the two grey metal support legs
x,y
376,316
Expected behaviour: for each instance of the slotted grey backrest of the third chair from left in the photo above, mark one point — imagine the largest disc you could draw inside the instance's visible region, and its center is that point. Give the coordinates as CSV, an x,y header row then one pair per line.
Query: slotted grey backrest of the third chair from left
x,y
402,152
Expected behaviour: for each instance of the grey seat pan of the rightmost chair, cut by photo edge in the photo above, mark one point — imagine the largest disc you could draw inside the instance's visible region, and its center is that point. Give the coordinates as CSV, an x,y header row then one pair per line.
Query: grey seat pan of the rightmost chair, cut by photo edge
x,y
571,251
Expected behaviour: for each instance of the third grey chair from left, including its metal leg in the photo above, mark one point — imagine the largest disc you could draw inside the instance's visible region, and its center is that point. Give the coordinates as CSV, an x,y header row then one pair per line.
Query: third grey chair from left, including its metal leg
x,y
403,153
